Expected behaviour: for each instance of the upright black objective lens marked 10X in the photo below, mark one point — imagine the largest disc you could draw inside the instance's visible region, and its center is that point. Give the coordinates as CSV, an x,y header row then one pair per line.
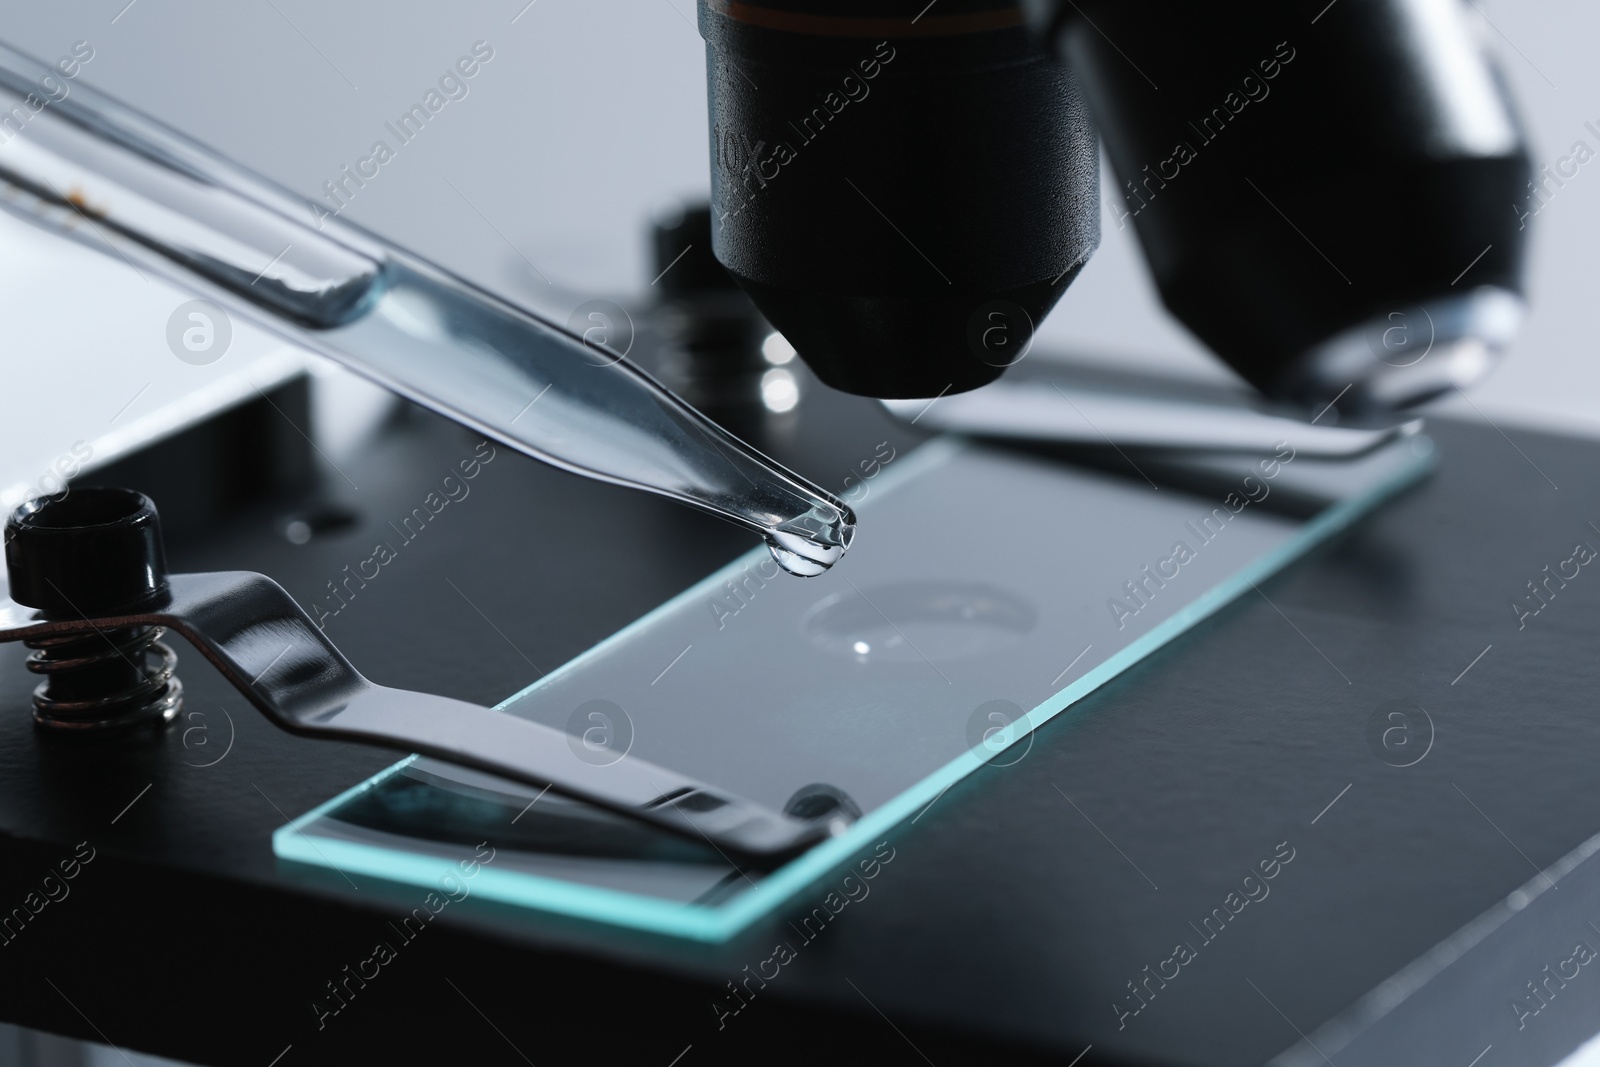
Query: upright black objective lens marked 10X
x,y
903,190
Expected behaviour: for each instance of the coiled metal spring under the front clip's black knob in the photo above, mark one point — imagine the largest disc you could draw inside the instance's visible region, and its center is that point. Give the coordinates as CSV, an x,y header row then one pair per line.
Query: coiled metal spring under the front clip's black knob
x,y
86,689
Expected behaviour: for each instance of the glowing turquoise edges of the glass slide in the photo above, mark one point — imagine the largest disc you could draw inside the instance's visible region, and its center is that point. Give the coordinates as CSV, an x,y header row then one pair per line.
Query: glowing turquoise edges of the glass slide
x,y
719,924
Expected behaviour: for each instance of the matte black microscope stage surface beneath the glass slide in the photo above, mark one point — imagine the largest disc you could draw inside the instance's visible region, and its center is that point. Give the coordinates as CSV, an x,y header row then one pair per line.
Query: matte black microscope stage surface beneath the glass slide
x,y
1007,927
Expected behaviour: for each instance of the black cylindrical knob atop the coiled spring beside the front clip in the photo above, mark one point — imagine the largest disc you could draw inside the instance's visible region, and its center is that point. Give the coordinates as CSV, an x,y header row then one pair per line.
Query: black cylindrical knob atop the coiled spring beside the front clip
x,y
95,551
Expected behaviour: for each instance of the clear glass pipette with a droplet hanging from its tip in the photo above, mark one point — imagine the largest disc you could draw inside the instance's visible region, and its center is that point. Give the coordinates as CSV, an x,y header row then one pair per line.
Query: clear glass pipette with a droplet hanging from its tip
x,y
406,324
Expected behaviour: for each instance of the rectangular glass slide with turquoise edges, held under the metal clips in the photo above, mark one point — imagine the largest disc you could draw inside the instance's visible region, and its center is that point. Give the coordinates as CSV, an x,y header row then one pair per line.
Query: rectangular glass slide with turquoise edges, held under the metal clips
x,y
988,591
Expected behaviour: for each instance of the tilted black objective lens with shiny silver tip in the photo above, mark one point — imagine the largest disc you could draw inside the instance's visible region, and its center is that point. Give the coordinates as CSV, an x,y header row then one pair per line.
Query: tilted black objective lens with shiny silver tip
x,y
1329,196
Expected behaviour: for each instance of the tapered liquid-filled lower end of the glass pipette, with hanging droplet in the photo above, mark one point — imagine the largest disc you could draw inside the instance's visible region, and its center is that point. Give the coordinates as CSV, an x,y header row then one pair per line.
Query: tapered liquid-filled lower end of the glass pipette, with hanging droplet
x,y
599,418
